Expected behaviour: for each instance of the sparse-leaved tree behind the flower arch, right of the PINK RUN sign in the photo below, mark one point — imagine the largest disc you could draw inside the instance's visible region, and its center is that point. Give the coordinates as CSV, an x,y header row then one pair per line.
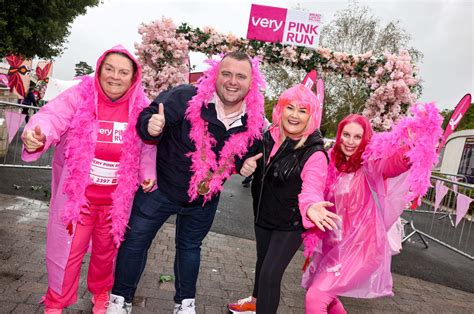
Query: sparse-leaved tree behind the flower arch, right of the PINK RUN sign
x,y
355,30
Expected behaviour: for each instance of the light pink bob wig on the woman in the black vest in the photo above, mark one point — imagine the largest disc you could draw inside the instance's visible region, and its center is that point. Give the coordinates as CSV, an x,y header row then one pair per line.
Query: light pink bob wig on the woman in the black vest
x,y
302,96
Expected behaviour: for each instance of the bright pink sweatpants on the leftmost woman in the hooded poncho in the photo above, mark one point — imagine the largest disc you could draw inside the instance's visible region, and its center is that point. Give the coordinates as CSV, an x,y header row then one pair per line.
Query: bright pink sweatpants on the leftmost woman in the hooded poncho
x,y
100,276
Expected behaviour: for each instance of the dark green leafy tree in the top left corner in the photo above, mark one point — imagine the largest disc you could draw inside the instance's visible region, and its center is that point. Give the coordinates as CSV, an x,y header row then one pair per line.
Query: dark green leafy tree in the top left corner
x,y
37,28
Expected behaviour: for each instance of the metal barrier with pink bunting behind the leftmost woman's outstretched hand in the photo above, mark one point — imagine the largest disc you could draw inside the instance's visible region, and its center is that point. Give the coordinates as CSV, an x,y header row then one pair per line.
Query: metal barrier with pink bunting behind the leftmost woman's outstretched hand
x,y
10,152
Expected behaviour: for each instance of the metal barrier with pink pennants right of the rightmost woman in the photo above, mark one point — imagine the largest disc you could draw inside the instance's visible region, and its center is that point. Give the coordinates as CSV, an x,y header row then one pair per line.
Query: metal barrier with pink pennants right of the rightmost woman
x,y
439,225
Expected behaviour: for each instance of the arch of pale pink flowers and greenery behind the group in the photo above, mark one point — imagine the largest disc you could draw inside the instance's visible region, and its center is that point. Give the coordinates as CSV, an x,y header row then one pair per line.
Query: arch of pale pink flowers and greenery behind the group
x,y
391,78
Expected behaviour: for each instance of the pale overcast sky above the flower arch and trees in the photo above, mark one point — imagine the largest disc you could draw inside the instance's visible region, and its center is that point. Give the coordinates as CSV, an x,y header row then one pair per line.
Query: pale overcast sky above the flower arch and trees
x,y
441,30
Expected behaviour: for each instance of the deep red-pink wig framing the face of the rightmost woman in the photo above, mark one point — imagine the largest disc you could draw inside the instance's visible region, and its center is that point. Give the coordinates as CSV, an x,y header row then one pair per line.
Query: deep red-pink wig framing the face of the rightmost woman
x,y
354,162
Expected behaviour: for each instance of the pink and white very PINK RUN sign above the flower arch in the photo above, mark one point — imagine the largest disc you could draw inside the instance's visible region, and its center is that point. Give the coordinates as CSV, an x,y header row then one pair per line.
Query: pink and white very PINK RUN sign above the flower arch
x,y
289,27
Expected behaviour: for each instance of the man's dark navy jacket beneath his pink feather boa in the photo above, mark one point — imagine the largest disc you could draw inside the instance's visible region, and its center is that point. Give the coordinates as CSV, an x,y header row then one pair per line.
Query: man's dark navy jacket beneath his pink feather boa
x,y
172,164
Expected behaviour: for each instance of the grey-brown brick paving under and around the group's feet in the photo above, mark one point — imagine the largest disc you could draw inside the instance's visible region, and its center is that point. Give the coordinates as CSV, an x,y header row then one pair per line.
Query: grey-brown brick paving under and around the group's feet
x,y
227,272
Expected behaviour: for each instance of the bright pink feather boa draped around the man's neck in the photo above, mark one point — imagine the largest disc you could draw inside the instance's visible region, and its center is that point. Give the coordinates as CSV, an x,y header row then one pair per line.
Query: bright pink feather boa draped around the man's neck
x,y
204,159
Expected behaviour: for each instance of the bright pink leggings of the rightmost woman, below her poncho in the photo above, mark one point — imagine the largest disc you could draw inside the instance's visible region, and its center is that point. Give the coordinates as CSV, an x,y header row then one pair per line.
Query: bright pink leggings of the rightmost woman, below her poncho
x,y
318,302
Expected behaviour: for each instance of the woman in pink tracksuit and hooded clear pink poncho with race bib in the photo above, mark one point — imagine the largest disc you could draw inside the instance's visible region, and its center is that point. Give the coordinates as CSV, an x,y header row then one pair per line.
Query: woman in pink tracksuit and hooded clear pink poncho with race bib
x,y
95,174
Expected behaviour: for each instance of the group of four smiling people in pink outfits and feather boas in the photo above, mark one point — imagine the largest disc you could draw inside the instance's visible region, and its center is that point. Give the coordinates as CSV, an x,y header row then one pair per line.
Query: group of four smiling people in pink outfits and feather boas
x,y
122,166
